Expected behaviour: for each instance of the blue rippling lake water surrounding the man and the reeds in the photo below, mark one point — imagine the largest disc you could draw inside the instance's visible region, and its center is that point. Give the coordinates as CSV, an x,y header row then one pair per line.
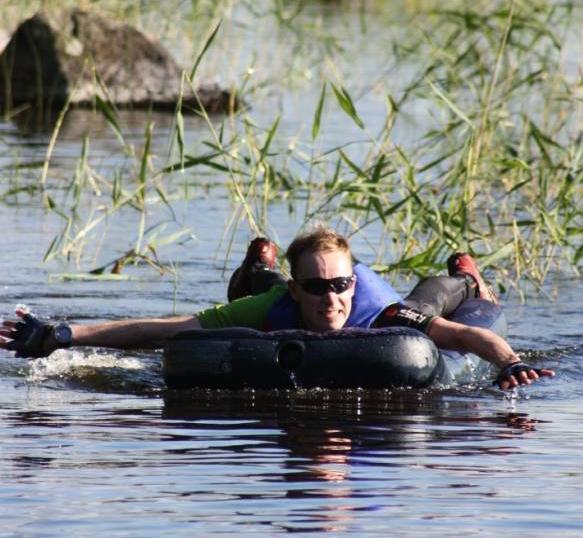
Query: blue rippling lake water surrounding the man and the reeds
x,y
92,443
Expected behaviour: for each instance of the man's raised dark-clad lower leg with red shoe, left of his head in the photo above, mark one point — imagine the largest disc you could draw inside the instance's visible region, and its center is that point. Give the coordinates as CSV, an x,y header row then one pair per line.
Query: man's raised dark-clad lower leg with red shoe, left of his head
x,y
256,274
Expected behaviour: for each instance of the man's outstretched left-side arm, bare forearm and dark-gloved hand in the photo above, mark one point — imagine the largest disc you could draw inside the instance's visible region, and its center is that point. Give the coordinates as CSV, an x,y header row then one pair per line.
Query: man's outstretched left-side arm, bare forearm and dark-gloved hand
x,y
30,337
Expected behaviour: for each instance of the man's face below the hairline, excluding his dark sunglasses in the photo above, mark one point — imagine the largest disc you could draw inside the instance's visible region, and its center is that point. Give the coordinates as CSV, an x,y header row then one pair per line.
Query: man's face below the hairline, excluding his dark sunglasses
x,y
329,311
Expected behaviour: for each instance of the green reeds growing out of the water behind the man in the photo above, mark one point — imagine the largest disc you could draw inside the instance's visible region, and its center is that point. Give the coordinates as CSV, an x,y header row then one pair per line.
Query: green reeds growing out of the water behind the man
x,y
495,170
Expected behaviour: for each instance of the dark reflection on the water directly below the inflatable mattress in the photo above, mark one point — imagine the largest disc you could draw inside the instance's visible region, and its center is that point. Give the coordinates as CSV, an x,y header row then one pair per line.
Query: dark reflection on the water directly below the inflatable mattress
x,y
325,434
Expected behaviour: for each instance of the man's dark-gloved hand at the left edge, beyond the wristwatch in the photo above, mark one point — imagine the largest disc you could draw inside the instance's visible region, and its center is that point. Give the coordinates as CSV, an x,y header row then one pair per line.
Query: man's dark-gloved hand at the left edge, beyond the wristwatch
x,y
28,338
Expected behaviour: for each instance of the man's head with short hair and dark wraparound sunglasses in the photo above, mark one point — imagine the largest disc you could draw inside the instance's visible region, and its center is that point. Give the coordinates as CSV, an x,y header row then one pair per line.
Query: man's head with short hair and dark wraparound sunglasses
x,y
322,280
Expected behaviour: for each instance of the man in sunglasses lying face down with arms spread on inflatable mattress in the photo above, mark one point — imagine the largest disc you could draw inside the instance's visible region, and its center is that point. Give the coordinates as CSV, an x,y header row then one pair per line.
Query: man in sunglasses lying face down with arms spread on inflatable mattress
x,y
326,291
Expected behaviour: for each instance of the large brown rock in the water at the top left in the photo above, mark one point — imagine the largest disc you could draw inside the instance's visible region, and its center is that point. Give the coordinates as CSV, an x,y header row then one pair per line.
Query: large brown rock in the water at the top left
x,y
77,55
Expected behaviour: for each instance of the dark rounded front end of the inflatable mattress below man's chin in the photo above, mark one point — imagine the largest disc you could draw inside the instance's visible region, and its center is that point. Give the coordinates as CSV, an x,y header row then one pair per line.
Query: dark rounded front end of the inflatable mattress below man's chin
x,y
238,358
